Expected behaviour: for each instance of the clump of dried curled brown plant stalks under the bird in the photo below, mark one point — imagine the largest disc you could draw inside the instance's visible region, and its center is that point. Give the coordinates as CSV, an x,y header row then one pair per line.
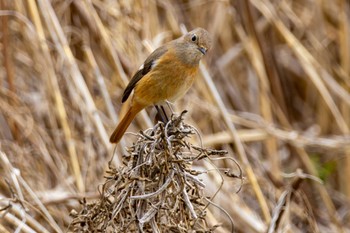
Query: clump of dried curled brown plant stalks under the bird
x,y
156,190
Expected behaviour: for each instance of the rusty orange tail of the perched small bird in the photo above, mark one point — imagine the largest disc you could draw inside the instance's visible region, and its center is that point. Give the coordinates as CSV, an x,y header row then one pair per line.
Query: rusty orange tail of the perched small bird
x,y
124,123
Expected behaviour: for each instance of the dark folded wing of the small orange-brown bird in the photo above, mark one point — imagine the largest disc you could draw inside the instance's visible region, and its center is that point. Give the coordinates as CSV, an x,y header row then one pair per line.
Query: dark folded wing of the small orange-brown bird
x,y
147,66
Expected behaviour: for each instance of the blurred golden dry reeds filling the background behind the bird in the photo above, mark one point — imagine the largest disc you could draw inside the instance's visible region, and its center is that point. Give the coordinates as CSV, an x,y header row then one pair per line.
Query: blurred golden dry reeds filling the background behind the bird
x,y
274,92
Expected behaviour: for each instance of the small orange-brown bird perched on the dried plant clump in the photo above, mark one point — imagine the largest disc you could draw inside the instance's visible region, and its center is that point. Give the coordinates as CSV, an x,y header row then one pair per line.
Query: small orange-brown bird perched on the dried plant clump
x,y
166,75
